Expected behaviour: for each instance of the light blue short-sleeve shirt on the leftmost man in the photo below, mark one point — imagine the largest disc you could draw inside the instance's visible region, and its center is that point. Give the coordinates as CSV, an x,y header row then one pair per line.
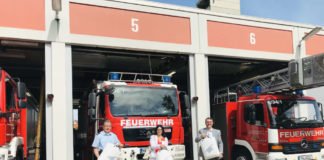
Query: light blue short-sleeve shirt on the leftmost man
x,y
103,138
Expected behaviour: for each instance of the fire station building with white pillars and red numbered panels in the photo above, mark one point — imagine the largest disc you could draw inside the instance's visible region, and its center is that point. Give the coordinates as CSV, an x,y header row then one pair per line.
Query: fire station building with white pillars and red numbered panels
x,y
80,40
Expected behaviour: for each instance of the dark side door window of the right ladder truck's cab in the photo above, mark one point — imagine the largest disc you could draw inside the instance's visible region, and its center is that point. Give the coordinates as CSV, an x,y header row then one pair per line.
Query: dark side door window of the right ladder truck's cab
x,y
254,114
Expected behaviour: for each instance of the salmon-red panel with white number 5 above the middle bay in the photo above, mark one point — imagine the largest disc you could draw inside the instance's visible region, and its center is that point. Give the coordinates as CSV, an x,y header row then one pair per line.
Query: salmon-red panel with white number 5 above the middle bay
x,y
129,24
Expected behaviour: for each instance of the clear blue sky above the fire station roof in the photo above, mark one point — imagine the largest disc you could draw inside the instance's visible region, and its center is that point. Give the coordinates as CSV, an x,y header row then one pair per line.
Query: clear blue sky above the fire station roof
x,y
301,11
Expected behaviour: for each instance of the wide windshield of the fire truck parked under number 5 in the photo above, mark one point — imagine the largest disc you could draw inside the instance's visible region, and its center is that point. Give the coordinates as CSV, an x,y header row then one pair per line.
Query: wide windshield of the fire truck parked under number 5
x,y
143,101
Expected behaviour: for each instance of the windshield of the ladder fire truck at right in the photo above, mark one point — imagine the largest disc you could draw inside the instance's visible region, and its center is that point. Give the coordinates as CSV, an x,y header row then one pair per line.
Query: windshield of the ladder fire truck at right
x,y
294,114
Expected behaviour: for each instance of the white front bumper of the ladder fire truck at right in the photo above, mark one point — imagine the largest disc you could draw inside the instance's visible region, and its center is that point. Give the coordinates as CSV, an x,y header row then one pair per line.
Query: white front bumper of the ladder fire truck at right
x,y
299,156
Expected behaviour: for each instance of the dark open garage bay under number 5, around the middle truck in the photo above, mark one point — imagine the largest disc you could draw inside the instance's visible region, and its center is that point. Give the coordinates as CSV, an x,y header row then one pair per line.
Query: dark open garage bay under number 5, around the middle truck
x,y
91,65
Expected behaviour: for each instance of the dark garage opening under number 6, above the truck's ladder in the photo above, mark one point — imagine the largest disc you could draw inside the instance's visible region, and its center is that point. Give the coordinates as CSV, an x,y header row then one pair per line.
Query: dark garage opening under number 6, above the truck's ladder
x,y
225,71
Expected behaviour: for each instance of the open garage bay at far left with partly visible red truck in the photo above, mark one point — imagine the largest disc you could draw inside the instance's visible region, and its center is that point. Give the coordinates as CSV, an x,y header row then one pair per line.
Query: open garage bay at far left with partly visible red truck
x,y
22,61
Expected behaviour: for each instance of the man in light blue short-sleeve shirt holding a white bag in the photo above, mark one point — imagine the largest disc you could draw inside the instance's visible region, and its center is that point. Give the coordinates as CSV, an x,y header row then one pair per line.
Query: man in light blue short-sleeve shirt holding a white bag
x,y
104,137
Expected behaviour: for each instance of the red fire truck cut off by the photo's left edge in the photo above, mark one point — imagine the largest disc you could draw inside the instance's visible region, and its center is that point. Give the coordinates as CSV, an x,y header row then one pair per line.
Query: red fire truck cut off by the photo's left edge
x,y
18,116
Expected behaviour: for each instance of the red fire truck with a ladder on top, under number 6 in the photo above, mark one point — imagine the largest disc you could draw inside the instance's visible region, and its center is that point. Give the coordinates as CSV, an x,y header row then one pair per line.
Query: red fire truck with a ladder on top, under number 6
x,y
266,117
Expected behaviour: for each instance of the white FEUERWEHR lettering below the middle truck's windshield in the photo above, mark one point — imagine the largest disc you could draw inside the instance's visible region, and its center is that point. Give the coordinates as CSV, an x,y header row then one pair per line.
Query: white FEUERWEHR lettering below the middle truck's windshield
x,y
146,122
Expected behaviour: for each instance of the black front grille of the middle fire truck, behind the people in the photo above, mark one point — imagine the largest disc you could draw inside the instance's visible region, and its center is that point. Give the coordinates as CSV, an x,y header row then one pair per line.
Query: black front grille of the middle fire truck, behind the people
x,y
143,134
